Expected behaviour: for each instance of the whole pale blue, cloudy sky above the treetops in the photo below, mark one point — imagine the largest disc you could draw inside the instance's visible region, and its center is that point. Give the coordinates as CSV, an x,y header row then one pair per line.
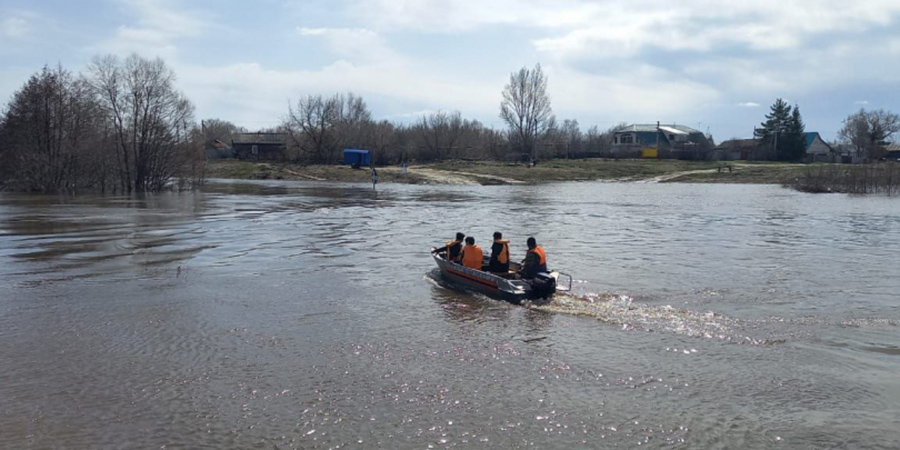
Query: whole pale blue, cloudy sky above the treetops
x,y
714,65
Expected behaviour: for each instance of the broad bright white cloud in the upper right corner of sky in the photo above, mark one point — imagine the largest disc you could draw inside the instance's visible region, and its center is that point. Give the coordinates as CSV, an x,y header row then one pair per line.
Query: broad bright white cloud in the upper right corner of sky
x,y
629,28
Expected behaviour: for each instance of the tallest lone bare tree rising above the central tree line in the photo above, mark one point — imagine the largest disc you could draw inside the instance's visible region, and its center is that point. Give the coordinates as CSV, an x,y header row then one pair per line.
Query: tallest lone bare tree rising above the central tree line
x,y
526,108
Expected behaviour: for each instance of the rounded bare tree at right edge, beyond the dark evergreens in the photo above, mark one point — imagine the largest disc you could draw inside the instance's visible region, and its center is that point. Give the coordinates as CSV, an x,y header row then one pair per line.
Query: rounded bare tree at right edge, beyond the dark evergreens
x,y
867,131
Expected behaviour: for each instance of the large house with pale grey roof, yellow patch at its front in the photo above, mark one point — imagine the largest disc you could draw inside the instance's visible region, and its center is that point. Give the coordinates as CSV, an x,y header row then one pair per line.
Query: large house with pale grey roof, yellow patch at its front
x,y
668,141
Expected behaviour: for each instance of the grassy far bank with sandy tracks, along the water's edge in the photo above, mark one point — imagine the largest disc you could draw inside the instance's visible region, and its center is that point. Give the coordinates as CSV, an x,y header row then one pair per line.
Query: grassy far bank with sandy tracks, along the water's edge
x,y
489,172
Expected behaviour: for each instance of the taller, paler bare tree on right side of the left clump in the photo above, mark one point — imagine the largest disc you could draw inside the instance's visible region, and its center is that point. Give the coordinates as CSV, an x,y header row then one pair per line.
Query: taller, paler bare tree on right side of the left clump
x,y
151,122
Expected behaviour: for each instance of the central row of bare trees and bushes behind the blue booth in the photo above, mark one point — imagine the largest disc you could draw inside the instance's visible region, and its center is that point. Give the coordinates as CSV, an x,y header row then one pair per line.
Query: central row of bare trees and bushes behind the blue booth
x,y
320,127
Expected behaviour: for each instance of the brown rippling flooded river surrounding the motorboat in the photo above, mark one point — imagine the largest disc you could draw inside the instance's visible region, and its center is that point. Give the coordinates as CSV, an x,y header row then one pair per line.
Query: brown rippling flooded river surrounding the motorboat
x,y
280,315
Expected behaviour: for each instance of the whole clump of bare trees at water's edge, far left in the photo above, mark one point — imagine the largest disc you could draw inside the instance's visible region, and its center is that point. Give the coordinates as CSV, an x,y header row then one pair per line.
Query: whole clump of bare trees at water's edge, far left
x,y
121,127
